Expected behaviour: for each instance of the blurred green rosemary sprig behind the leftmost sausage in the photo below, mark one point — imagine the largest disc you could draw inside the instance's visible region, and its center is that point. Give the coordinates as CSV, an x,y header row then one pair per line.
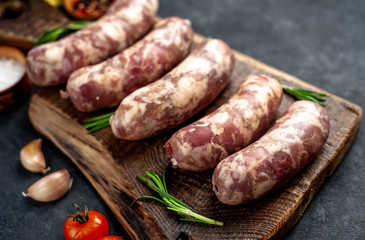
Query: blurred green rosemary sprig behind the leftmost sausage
x,y
56,33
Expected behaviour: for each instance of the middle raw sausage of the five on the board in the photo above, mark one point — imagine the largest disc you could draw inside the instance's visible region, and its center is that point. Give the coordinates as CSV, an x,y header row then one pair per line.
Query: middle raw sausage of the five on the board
x,y
183,92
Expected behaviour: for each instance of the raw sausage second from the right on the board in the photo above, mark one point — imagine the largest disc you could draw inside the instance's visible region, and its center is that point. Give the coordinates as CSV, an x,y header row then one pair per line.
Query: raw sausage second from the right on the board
x,y
241,120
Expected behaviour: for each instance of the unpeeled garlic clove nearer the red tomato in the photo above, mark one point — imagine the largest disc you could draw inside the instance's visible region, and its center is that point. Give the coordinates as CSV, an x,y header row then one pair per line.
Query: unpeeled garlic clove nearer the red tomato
x,y
50,187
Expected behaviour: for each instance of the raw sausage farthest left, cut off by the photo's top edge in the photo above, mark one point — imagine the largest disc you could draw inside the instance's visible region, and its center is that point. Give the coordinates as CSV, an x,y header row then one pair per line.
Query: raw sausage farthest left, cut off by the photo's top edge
x,y
125,22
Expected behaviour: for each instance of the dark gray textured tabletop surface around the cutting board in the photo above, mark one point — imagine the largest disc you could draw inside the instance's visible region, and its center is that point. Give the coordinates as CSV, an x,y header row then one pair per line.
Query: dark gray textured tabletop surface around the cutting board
x,y
321,42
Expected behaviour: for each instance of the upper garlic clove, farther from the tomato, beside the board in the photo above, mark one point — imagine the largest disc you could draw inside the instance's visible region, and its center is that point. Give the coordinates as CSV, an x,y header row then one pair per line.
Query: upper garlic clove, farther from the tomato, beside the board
x,y
32,157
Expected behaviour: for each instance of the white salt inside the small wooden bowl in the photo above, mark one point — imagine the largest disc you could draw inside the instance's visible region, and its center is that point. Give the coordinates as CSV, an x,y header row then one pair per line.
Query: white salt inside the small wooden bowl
x,y
11,71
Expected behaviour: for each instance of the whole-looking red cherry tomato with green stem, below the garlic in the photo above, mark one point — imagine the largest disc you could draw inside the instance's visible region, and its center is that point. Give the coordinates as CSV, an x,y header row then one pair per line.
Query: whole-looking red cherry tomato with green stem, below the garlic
x,y
86,225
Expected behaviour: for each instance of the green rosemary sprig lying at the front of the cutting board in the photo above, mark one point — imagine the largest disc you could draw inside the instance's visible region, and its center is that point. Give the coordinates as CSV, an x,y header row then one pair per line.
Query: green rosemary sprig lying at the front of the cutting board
x,y
172,203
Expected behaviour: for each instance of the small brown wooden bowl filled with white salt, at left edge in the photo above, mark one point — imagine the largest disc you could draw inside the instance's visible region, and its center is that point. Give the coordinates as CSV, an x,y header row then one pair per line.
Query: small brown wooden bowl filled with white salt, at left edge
x,y
14,83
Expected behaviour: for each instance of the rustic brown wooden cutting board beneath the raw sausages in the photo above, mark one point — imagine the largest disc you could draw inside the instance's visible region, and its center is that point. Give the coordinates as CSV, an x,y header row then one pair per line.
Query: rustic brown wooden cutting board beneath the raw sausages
x,y
112,167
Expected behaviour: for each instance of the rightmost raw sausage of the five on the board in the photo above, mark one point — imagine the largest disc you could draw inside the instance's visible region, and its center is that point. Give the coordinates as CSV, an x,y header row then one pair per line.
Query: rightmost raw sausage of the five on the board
x,y
269,163
